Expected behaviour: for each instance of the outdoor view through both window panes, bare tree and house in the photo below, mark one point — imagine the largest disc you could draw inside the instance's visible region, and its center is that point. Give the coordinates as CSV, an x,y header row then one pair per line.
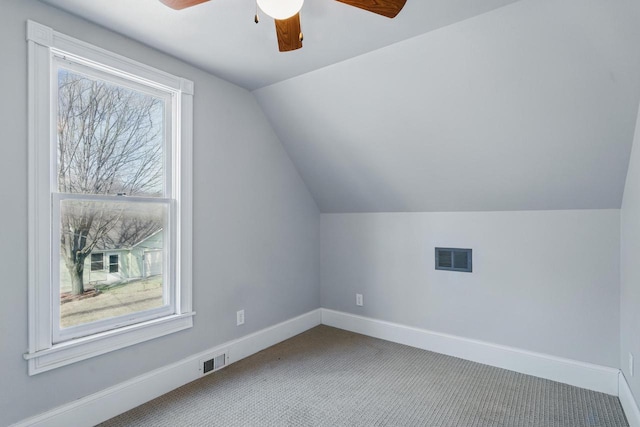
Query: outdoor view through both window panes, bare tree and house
x,y
111,182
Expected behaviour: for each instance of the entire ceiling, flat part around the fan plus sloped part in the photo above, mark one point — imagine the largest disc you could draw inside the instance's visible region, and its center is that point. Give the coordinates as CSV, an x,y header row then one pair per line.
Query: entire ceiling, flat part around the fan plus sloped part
x,y
455,105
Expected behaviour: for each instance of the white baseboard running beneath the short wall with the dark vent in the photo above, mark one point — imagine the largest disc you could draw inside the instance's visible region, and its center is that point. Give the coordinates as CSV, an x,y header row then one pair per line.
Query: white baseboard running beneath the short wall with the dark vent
x,y
580,374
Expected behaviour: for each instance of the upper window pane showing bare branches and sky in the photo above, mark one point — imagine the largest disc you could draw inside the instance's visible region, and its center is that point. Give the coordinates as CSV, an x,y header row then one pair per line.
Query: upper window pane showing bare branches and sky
x,y
110,138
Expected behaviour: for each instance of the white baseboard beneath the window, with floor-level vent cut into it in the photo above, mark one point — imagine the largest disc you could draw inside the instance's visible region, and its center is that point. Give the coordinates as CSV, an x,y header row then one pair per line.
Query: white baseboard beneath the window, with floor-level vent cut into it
x,y
101,406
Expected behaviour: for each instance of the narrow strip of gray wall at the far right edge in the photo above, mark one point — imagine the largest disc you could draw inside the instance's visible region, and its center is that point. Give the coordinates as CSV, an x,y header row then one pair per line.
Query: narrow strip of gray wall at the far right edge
x,y
629,273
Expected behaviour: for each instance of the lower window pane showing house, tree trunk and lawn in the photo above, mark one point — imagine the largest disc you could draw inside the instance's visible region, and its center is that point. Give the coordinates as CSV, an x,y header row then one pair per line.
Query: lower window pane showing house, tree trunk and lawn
x,y
127,232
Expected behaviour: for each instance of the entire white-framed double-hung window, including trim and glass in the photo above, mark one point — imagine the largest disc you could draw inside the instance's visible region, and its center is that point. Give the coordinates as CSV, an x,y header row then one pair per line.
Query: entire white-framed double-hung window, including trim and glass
x,y
109,168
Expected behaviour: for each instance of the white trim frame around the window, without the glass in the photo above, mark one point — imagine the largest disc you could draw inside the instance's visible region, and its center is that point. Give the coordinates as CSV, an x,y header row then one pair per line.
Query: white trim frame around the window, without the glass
x,y
42,354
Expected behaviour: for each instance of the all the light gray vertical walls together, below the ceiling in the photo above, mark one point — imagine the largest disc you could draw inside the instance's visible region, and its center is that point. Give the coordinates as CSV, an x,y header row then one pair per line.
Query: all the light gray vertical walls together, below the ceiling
x,y
545,281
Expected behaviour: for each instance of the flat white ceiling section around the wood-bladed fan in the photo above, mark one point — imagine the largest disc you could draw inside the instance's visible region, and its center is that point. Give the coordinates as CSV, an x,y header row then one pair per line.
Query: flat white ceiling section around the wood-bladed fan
x,y
221,37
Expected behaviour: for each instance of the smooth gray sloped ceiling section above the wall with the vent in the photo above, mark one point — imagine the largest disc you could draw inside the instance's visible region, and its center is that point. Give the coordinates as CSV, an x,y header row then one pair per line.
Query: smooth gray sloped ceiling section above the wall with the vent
x,y
530,106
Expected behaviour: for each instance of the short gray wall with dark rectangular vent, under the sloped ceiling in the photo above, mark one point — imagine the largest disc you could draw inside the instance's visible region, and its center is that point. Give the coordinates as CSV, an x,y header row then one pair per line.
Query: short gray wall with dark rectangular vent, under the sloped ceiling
x,y
545,281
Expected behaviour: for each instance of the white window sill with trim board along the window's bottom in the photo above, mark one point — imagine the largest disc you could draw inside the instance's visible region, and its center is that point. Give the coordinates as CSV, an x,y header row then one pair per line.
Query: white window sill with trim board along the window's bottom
x,y
83,348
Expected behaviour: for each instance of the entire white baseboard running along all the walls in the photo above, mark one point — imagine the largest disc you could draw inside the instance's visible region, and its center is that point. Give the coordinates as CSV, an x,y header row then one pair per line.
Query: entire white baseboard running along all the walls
x,y
120,398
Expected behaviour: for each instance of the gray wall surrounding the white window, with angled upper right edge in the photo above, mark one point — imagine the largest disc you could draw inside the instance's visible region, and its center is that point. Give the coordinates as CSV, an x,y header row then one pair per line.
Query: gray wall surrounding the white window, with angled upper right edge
x,y
255,224
